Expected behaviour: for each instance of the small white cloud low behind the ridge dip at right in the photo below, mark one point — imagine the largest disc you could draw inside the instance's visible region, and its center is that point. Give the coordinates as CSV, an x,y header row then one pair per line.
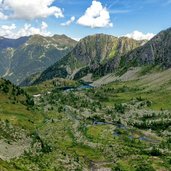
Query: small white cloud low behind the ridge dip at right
x,y
137,35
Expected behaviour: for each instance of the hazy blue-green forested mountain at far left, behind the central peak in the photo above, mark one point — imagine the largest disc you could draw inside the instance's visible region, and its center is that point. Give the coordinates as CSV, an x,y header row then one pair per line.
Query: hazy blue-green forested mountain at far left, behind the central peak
x,y
20,58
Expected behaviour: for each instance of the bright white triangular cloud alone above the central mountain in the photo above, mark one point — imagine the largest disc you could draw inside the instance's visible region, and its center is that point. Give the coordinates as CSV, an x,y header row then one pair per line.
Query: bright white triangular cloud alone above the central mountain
x,y
96,16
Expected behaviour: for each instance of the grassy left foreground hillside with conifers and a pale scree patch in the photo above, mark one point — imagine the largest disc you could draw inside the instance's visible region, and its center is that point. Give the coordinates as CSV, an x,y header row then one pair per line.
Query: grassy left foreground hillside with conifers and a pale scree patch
x,y
16,123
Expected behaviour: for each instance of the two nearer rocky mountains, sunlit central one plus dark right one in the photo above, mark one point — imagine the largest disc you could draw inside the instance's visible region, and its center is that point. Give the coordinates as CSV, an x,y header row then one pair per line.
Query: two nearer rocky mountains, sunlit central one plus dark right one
x,y
102,54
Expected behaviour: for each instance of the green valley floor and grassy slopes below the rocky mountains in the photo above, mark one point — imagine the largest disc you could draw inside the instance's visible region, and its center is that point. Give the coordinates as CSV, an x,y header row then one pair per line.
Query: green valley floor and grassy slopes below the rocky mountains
x,y
124,125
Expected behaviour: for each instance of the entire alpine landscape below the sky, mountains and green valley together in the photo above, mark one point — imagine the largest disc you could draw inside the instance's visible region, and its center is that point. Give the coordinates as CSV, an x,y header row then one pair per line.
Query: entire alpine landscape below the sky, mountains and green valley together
x,y
100,104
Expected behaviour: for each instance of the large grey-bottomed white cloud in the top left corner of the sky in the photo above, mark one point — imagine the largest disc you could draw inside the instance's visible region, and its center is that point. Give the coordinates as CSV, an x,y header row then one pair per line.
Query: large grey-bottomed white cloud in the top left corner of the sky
x,y
30,9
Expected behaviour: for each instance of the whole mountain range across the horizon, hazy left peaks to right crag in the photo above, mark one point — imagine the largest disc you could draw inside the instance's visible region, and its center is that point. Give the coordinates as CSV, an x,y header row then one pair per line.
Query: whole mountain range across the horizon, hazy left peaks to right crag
x,y
34,59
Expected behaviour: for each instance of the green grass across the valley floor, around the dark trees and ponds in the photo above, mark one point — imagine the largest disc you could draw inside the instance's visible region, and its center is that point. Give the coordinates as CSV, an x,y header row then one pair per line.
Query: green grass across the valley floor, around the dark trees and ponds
x,y
75,141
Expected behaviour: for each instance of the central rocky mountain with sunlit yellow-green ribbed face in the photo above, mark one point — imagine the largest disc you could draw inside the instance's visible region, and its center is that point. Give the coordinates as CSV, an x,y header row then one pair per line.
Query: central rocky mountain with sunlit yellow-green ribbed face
x,y
89,54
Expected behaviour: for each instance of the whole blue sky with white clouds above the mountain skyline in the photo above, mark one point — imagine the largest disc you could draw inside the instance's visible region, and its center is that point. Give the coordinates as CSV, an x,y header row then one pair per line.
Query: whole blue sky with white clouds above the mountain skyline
x,y
138,19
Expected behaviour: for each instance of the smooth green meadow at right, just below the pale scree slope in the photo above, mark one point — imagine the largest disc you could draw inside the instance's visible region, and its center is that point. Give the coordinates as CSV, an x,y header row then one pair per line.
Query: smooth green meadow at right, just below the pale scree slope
x,y
160,99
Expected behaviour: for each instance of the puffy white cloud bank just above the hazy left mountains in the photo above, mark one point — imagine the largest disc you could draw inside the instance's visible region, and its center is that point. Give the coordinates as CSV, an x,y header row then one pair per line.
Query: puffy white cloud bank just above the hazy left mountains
x,y
10,31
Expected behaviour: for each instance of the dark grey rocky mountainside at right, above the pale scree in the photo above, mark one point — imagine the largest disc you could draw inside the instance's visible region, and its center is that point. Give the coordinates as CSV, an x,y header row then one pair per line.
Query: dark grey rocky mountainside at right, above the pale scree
x,y
153,53
